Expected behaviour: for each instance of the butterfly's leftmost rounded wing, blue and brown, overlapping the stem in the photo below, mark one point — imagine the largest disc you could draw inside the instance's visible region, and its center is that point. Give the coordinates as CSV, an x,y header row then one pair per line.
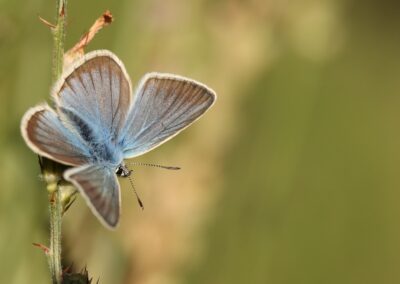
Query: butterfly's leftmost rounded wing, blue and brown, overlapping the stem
x,y
44,132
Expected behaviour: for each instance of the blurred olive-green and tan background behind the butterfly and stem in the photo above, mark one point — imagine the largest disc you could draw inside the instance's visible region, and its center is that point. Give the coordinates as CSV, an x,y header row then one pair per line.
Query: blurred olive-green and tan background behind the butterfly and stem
x,y
292,177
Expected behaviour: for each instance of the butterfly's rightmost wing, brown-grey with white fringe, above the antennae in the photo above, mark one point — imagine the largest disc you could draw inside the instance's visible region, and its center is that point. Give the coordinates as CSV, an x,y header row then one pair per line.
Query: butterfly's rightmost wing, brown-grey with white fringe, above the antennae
x,y
164,104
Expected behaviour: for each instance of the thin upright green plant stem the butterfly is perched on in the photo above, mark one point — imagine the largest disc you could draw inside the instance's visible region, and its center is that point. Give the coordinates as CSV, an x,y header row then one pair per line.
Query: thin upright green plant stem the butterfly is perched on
x,y
55,206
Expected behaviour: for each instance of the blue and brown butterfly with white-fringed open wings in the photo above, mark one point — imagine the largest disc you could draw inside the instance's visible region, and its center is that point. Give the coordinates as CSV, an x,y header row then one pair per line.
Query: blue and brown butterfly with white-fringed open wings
x,y
97,124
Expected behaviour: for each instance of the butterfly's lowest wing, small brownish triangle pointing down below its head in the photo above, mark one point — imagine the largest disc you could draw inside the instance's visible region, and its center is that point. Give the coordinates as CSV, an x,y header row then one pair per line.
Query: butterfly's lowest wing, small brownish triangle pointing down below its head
x,y
99,186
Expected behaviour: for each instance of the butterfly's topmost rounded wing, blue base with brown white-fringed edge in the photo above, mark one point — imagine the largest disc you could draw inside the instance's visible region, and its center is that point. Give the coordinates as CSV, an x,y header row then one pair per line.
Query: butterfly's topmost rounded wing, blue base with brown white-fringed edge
x,y
95,95
